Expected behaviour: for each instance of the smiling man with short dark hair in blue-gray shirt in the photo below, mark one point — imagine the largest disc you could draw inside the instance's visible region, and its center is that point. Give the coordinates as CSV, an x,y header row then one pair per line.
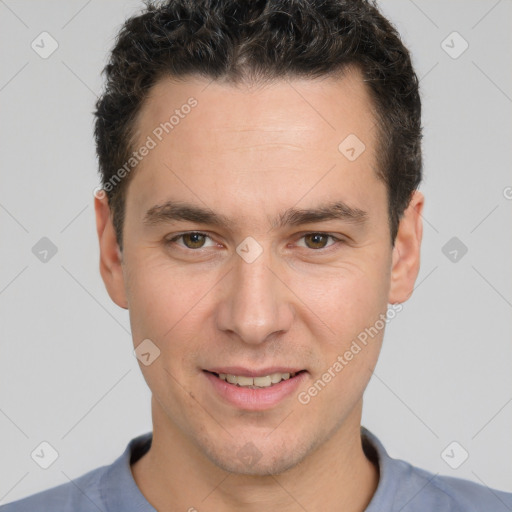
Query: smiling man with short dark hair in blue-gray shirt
x,y
259,212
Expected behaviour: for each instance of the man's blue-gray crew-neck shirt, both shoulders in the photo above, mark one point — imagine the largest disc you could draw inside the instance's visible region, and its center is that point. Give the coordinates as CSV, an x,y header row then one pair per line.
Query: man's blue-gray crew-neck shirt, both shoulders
x,y
402,487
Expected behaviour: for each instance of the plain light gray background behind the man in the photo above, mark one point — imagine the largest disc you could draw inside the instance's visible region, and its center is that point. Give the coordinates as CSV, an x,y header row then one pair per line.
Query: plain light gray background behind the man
x,y
68,374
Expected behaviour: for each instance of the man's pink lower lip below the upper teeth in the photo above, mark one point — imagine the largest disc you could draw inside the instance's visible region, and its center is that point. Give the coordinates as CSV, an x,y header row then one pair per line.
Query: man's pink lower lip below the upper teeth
x,y
255,399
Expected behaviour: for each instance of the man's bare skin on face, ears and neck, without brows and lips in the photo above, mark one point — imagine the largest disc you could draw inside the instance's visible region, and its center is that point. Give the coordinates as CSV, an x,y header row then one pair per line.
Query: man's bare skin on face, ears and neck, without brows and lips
x,y
250,153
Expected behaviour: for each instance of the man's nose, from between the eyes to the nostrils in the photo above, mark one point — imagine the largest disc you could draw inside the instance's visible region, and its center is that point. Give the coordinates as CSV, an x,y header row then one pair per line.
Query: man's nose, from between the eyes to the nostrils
x,y
254,303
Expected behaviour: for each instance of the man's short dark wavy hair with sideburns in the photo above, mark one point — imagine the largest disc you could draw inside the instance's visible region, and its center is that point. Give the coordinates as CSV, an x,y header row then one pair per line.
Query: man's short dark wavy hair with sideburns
x,y
258,40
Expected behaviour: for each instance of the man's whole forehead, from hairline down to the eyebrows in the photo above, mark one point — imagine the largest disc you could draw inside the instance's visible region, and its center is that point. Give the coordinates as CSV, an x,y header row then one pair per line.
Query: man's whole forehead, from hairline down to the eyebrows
x,y
255,139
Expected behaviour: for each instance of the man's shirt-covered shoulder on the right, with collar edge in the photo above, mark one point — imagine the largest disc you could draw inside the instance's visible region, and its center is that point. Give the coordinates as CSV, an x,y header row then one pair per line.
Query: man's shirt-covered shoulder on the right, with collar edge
x,y
408,488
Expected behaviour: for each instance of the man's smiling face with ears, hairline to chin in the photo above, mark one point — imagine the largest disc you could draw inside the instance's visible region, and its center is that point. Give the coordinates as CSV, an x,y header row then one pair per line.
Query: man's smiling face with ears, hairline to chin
x,y
256,246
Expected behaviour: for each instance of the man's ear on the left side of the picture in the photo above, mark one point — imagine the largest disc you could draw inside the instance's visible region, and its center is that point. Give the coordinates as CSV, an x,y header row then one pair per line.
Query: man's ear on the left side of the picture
x,y
110,256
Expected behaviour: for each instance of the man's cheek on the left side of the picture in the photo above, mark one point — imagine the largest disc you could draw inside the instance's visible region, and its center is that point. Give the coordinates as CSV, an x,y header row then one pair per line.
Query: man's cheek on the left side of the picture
x,y
165,307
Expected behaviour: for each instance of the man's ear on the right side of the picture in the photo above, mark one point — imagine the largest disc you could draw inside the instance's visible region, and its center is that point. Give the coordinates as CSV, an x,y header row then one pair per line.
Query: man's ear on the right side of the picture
x,y
406,251
